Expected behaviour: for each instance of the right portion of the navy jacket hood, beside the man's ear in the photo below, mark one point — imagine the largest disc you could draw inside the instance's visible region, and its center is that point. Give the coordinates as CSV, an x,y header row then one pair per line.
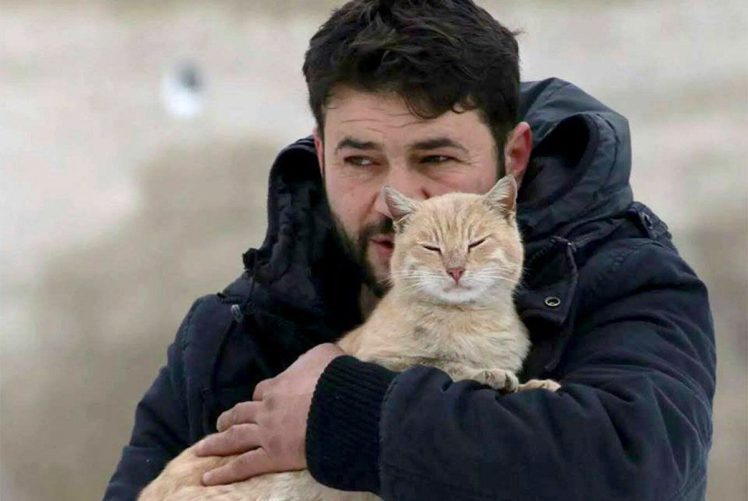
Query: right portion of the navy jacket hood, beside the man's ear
x,y
581,161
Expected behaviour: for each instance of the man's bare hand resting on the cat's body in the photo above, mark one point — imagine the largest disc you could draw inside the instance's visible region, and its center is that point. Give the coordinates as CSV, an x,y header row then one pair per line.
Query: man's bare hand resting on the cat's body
x,y
268,433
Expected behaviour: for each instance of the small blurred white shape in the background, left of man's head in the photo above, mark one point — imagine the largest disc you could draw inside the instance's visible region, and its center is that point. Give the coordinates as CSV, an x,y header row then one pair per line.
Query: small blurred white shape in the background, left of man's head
x,y
182,91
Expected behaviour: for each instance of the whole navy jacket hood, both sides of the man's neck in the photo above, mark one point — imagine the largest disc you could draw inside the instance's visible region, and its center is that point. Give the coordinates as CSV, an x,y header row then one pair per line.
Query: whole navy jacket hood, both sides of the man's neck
x,y
578,174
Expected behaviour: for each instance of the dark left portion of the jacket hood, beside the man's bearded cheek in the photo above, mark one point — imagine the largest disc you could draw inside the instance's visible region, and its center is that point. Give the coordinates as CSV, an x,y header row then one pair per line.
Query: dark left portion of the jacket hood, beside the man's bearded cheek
x,y
301,270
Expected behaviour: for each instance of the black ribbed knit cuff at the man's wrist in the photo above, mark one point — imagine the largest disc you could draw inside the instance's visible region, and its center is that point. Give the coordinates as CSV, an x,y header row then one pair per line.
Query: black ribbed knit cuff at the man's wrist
x,y
342,437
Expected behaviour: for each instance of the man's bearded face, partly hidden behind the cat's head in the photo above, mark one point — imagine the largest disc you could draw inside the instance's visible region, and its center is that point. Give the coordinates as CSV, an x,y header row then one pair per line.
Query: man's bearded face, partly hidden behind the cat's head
x,y
372,140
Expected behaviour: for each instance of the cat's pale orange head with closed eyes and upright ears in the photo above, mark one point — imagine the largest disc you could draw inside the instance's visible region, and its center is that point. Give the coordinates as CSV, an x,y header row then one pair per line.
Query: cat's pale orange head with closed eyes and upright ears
x,y
457,248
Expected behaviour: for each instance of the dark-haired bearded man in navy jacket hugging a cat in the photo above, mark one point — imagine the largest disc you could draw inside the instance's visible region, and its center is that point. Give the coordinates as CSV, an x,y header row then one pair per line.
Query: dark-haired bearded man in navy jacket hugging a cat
x,y
423,95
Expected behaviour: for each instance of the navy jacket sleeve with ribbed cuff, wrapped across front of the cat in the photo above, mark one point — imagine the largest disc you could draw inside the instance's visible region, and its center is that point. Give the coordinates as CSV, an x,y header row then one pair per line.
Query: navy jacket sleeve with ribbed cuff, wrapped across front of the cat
x,y
632,420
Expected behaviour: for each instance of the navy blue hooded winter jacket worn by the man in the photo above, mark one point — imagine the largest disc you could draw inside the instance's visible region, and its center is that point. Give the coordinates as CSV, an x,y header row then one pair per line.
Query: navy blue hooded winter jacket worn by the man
x,y
614,313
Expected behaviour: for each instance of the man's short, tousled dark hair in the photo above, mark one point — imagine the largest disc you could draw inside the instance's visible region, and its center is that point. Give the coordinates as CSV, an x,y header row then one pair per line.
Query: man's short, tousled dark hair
x,y
439,55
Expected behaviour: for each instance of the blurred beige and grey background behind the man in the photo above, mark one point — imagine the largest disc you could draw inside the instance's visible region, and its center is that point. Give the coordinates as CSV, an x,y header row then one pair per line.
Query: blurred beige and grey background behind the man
x,y
135,142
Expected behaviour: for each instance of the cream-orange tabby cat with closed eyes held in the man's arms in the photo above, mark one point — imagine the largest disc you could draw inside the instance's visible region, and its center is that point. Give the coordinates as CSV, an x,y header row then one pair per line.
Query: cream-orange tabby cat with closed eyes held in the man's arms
x,y
456,262
